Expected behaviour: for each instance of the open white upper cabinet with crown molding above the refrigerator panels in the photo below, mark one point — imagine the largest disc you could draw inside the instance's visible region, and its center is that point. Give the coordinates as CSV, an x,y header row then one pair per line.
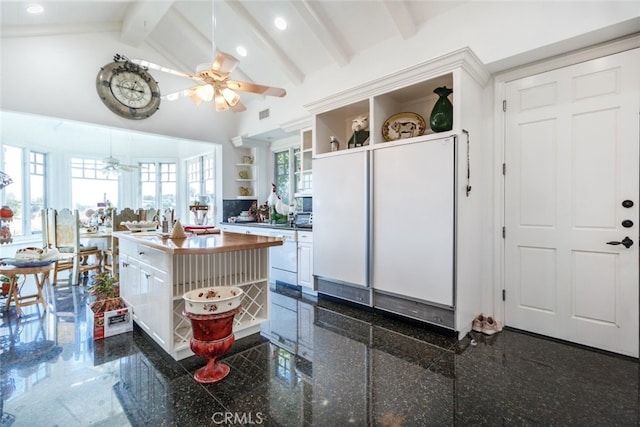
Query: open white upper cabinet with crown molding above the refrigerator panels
x,y
394,101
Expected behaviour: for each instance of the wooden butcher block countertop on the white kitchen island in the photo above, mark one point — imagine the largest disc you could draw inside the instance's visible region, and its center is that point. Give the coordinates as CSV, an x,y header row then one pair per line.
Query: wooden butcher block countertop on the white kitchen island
x,y
200,244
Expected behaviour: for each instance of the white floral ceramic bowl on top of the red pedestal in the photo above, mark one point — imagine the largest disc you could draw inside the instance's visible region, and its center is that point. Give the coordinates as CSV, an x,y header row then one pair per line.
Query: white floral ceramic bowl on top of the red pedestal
x,y
212,300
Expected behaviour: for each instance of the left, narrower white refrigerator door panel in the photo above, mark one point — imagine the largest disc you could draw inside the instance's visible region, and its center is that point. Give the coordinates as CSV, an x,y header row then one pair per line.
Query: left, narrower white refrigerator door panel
x,y
340,235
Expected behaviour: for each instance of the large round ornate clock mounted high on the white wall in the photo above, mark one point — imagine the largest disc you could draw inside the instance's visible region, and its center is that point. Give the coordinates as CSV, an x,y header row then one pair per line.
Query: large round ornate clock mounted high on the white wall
x,y
128,90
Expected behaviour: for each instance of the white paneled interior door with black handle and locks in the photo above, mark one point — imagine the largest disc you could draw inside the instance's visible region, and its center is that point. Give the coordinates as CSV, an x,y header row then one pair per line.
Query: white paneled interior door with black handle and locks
x,y
571,153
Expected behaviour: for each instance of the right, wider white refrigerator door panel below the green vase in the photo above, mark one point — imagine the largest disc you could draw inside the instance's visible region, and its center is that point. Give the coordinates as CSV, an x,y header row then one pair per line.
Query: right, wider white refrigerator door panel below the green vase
x,y
413,220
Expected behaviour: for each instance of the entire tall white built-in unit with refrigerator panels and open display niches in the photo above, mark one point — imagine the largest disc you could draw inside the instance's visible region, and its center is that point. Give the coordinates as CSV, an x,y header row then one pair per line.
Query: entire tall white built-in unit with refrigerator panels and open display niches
x,y
396,224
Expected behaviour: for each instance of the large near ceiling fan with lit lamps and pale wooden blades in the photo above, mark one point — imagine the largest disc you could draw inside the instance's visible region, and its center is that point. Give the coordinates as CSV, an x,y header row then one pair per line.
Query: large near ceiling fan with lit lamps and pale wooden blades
x,y
214,81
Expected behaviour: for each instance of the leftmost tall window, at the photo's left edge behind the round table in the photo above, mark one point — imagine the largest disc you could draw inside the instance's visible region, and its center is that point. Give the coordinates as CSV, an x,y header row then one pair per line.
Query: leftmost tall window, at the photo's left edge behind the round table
x,y
25,196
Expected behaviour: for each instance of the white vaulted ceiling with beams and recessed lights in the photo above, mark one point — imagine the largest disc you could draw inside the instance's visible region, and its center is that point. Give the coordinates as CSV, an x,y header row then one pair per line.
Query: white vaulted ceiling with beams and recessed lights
x,y
319,34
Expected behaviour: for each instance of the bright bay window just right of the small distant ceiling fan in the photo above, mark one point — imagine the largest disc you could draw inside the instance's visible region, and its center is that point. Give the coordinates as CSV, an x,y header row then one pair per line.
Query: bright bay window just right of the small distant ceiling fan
x,y
158,185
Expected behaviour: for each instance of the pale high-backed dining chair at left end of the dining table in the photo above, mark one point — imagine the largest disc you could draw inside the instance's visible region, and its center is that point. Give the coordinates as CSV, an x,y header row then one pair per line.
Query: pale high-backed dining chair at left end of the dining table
x,y
73,256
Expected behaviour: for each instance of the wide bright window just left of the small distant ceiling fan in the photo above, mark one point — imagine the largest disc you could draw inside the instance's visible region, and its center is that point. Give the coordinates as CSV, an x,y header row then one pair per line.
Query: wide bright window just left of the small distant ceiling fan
x,y
90,185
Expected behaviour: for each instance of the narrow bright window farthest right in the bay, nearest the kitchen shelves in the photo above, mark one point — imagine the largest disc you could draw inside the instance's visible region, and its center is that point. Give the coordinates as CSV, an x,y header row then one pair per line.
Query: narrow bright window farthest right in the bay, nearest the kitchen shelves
x,y
201,182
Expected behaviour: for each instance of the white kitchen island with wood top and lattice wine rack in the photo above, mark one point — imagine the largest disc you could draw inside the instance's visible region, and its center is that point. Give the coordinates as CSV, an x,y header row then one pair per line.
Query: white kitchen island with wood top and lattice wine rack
x,y
155,272
